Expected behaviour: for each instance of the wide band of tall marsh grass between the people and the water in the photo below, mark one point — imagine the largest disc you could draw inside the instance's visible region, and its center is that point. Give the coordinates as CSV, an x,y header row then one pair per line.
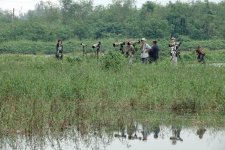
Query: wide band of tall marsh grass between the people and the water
x,y
39,92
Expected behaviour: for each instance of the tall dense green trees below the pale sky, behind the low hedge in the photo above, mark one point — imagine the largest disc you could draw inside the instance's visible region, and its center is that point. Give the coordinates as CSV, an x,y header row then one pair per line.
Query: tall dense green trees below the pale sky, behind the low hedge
x,y
121,19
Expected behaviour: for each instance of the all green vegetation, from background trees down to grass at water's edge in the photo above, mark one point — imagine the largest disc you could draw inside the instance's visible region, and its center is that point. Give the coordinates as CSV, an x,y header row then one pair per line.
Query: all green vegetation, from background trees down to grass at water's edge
x,y
39,92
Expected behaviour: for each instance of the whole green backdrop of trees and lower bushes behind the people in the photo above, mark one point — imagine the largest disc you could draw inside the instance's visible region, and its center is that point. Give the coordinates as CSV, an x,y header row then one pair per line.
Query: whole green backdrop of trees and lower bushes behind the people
x,y
38,30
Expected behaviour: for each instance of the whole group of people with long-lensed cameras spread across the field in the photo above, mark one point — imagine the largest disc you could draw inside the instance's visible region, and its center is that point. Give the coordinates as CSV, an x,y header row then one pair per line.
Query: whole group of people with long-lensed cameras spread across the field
x,y
148,54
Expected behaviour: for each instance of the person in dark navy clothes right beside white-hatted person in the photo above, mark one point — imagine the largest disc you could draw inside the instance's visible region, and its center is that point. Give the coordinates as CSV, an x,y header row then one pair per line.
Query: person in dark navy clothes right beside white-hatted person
x,y
154,52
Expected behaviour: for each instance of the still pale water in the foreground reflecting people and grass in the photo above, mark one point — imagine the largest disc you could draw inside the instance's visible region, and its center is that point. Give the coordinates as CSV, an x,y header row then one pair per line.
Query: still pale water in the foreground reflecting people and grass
x,y
134,137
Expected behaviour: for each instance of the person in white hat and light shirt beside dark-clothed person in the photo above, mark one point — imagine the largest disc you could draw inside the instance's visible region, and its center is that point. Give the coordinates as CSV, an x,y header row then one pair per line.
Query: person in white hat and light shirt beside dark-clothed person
x,y
145,48
